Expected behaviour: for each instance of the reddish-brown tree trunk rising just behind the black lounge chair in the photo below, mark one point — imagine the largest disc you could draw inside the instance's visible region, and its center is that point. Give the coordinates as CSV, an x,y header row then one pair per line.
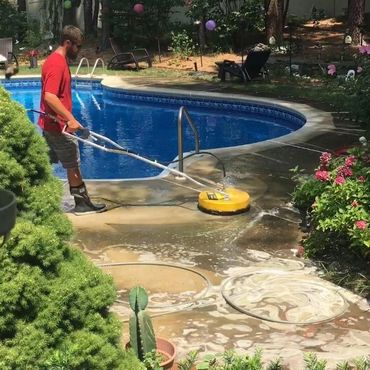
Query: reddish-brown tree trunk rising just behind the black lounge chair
x,y
274,13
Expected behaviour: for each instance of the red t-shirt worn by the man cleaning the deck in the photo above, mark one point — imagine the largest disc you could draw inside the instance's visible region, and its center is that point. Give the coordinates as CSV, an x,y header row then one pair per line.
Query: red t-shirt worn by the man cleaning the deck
x,y
55,79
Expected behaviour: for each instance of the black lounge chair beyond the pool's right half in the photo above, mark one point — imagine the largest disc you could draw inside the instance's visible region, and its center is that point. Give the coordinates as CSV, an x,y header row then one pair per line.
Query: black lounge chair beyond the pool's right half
x,y
252,67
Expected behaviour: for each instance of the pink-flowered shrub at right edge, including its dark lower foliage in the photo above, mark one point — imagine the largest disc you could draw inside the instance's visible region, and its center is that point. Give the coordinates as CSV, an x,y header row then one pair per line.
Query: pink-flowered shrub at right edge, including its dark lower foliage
x,y
337,199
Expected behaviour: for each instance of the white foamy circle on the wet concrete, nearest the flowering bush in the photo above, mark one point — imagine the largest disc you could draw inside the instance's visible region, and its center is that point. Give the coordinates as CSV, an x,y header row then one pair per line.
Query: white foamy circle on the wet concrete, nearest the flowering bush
x,y
285,297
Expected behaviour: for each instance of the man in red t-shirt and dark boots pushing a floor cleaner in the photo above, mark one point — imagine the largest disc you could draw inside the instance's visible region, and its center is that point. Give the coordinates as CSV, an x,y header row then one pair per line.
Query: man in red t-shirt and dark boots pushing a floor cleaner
x,y
56,100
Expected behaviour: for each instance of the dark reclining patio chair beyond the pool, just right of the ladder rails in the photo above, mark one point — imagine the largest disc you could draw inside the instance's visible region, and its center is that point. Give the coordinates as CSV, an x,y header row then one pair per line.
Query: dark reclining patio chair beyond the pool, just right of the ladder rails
x,y
123,59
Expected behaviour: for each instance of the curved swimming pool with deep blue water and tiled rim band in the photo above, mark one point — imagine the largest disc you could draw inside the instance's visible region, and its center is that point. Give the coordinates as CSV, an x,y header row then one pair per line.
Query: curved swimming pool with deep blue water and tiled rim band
x,y
146,123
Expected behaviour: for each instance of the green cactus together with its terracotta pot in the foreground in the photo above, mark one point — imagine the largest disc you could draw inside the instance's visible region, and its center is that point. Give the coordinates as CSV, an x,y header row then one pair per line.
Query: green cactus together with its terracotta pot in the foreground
x,y
142,339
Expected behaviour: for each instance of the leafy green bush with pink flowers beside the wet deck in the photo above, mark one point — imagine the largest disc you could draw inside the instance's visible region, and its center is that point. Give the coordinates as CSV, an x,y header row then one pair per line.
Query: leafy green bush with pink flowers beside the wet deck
x,y
337,198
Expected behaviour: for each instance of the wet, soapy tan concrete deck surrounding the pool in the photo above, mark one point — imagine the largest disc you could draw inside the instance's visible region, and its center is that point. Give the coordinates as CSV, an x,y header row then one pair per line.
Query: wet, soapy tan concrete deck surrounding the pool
x,y
156,226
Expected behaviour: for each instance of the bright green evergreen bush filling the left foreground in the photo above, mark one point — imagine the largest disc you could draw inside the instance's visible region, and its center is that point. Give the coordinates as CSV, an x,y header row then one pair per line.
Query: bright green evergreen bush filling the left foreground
x,y
54,303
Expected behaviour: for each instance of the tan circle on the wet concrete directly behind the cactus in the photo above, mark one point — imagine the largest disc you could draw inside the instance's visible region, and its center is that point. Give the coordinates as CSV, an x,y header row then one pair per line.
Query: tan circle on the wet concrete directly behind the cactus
x,y
168,286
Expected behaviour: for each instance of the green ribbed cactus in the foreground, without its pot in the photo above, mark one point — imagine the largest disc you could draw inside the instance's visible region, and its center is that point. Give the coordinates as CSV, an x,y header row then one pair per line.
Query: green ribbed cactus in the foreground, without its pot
x,y
142,338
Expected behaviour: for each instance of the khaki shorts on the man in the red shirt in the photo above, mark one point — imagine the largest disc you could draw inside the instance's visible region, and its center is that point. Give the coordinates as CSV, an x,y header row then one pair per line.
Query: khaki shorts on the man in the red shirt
x,y
62,149
